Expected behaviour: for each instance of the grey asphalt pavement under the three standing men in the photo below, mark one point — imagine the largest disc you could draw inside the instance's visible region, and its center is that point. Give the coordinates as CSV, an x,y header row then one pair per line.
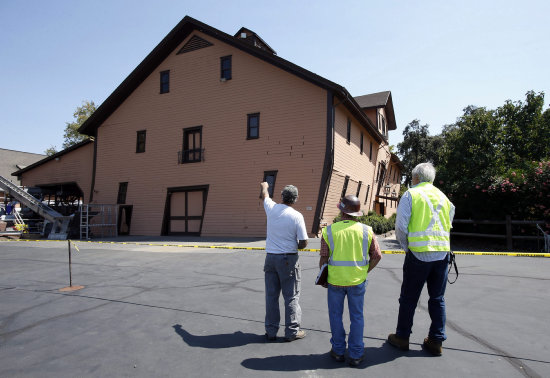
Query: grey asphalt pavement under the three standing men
x,y
159,310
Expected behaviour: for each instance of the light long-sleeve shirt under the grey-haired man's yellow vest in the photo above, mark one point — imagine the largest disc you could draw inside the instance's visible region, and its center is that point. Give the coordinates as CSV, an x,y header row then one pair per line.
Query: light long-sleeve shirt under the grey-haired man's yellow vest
x,y
404,210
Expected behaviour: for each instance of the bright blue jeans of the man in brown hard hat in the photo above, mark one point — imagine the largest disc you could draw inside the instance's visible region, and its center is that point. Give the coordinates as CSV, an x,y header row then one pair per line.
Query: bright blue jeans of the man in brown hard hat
x,y
335,299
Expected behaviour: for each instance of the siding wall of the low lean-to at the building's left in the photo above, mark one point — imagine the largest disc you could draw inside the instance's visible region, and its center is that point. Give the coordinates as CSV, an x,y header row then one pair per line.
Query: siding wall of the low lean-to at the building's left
x,y
75,166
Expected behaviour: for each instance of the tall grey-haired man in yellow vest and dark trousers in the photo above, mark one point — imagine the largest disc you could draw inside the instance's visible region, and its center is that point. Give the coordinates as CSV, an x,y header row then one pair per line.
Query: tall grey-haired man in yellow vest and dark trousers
x,y
422,227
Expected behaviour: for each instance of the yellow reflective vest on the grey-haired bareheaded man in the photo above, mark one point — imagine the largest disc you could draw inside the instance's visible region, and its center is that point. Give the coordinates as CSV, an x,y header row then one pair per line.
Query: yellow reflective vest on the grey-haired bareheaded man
x,y
430,224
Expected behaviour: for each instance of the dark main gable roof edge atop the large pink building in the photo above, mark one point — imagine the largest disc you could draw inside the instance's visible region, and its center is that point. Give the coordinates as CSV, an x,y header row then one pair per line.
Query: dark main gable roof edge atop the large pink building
x,y
181,31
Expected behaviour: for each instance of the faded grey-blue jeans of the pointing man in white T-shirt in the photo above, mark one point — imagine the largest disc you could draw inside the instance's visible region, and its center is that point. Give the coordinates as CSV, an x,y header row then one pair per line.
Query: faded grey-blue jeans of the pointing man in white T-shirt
x,y
282,274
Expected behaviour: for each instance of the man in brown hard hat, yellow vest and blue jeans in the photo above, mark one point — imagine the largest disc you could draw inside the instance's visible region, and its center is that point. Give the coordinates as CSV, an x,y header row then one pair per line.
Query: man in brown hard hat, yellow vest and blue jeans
x,y
351,251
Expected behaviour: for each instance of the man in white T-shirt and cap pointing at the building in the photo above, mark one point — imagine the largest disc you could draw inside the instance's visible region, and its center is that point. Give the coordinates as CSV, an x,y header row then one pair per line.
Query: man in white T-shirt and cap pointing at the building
x,y
286,233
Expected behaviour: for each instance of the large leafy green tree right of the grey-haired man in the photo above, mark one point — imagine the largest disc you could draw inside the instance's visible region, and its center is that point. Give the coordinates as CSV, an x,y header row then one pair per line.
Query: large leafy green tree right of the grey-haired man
x,y
487,150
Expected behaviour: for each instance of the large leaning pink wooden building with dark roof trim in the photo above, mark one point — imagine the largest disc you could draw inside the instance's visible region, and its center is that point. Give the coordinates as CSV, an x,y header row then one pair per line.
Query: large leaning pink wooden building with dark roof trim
x,y
183,143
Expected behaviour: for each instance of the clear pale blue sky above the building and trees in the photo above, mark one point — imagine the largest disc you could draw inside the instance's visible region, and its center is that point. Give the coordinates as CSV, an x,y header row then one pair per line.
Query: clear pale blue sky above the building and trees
x,y
436,57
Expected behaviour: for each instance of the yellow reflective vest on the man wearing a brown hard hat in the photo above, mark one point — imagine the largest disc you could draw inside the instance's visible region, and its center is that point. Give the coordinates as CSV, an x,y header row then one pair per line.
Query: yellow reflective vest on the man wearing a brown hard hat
x,y
349,244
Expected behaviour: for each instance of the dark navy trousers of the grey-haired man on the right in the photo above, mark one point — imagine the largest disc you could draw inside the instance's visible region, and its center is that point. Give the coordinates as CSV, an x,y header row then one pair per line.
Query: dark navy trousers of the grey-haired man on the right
x,y
415,274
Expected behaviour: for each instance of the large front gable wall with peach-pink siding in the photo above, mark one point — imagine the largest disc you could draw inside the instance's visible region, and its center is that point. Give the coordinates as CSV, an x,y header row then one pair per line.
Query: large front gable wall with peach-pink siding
x,y
292,141
